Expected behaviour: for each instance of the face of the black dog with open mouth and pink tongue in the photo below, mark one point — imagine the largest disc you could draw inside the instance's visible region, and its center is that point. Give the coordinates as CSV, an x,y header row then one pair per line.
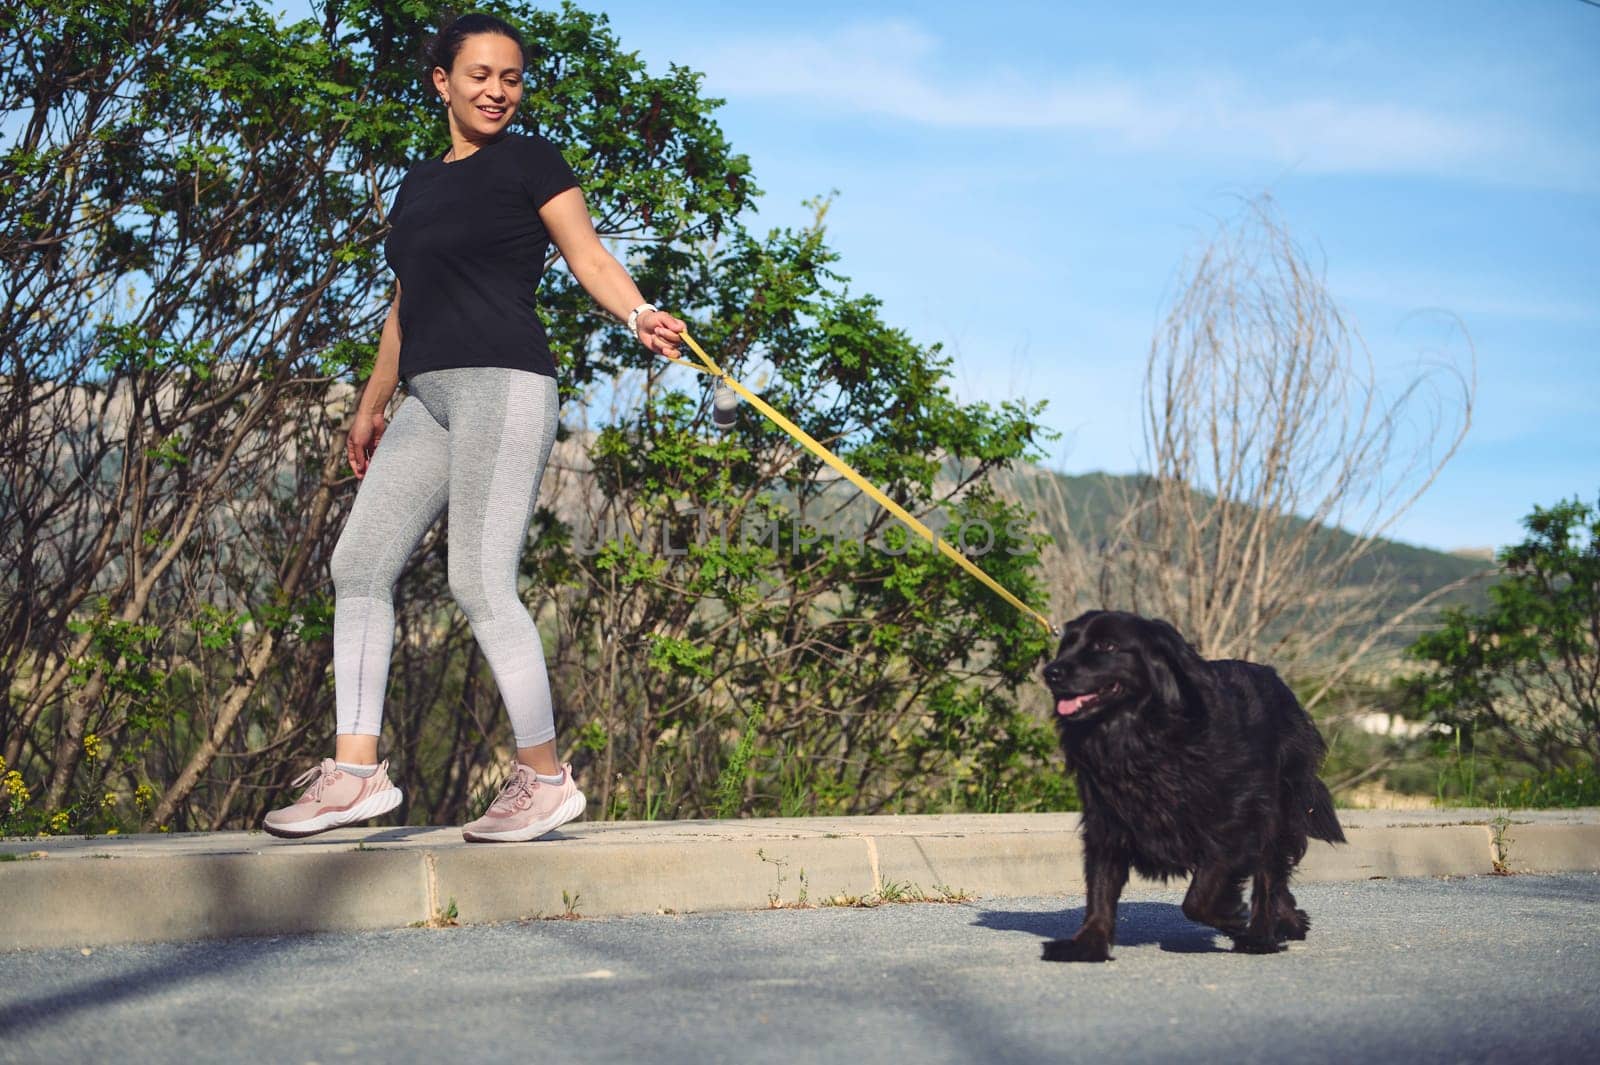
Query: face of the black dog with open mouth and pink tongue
x,y
1098,668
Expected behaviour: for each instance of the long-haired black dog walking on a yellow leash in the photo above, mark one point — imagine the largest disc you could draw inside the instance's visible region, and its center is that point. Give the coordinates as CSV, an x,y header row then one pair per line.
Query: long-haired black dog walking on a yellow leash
x,y
1186,768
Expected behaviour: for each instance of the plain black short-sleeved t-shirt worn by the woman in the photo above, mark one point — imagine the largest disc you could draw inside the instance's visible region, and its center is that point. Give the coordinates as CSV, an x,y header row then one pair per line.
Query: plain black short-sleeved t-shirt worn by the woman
x,y
468,247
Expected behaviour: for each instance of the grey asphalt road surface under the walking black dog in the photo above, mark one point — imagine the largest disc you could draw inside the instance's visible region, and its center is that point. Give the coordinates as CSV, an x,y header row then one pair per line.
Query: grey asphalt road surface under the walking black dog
x,y
1481,970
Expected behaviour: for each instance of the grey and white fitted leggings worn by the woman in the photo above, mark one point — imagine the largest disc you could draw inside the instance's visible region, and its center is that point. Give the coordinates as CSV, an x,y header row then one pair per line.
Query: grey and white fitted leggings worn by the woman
x,y
474,439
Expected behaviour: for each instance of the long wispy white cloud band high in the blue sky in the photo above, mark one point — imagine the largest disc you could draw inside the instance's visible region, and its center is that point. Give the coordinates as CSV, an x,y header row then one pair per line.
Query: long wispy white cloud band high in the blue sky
x,y
897,70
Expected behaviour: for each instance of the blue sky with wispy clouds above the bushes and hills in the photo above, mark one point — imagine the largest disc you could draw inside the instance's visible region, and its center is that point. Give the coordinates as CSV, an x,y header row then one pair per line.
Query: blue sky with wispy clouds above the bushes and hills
x,y
1022,181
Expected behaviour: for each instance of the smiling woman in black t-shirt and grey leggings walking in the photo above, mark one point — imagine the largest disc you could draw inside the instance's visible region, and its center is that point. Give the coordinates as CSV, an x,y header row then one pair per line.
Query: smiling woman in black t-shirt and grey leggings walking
x,y
468,245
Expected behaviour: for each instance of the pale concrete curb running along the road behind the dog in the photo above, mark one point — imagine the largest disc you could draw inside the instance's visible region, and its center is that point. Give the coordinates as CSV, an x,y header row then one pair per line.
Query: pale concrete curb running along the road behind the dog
x,y
118,890
